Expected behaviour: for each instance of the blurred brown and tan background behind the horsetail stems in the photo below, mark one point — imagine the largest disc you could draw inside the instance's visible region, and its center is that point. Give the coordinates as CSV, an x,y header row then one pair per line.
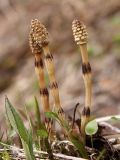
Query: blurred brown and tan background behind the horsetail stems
x,y
17,77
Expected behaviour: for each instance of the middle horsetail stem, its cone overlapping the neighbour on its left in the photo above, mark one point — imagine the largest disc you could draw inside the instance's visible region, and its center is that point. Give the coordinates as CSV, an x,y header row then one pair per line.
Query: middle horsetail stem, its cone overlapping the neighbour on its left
x,y
41,38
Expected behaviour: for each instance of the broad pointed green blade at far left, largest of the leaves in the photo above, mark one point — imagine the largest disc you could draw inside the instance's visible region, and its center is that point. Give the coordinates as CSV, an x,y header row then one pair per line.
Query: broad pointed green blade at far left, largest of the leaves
x,y
18,126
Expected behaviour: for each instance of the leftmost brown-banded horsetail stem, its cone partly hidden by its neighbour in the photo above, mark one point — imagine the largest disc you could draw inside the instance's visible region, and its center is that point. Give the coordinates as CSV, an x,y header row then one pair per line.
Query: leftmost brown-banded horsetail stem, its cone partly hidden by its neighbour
x,y
39,68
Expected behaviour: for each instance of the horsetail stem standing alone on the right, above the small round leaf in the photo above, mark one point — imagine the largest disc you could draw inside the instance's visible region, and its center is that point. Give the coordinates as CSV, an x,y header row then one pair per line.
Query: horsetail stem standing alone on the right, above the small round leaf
x,y
80,36
